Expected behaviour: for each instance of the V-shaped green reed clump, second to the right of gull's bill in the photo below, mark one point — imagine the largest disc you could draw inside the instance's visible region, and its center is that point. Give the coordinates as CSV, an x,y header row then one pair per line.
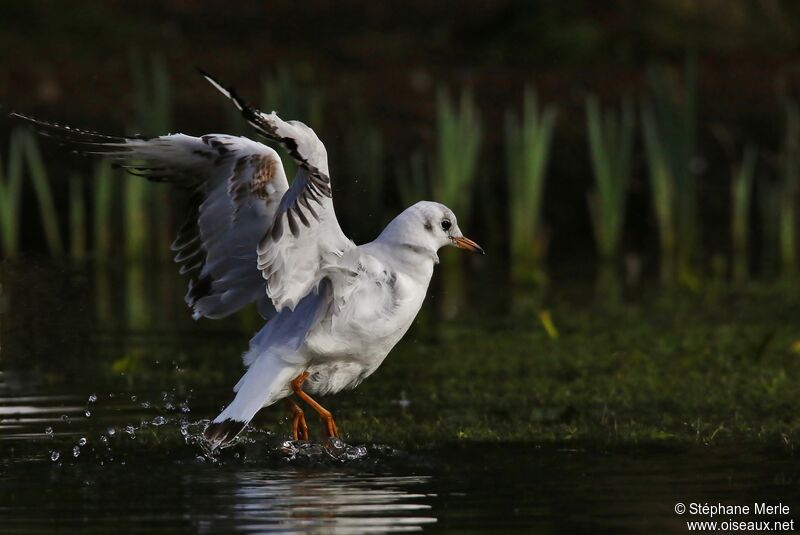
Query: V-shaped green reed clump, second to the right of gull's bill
x,y
610,137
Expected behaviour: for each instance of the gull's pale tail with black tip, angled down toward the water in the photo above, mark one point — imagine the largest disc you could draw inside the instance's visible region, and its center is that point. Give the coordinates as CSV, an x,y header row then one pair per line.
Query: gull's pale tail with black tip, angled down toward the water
x,y
273,361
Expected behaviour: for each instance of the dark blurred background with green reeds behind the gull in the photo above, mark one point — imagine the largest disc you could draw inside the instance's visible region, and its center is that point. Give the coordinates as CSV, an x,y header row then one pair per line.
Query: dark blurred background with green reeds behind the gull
x,y
653,140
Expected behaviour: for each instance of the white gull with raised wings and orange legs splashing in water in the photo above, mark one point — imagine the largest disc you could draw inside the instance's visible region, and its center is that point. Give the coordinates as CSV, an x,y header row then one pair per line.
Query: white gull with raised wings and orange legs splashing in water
x,y
334,309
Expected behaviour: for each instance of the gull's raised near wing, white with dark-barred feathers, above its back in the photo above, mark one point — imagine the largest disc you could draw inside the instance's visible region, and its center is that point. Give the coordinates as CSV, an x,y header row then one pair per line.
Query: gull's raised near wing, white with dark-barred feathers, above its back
x,y
305,236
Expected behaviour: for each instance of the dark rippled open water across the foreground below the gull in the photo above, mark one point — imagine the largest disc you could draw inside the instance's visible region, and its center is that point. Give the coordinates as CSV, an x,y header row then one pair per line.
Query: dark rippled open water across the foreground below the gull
x,y
132,465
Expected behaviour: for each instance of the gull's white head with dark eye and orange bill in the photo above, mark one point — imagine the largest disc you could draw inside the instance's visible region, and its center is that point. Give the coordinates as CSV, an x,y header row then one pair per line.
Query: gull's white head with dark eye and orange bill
x,y
429,225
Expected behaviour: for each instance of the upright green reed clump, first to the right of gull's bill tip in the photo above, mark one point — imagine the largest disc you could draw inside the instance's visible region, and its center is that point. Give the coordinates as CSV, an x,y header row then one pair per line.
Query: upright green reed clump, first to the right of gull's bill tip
x,y
528,144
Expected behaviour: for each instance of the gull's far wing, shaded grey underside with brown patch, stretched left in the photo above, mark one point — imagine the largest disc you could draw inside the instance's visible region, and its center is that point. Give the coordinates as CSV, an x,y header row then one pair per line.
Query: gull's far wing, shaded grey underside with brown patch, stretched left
x,y
235,187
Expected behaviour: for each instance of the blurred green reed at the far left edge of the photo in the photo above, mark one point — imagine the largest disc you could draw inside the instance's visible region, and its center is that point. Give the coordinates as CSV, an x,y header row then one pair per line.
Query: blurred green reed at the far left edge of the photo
x,y
11,196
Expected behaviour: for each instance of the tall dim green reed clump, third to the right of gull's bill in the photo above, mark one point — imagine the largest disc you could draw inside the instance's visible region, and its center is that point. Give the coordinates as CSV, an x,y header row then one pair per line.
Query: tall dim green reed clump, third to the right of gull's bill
x,y
669,128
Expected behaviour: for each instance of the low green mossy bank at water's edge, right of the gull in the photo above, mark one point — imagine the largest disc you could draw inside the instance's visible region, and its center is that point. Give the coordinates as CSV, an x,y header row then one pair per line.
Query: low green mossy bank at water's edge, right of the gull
x,y
686,369
